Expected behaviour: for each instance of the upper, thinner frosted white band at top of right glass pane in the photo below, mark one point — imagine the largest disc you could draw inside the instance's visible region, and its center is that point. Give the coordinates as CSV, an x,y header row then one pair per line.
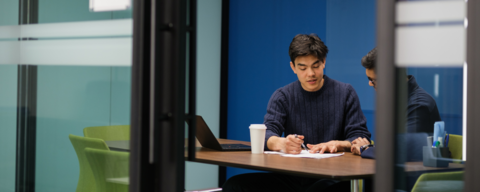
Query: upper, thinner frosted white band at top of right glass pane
x,y
430,11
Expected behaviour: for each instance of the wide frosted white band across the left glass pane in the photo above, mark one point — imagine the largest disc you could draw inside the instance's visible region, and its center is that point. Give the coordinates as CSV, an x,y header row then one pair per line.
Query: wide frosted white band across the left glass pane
x,y
50,46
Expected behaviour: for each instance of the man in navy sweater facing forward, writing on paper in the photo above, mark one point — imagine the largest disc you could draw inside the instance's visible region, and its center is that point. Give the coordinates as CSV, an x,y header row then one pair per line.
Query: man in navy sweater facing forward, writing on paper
x,y
323,112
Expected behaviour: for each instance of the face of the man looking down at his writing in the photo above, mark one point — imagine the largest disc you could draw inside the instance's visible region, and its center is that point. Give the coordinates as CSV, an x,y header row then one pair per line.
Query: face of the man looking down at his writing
x,y
309,70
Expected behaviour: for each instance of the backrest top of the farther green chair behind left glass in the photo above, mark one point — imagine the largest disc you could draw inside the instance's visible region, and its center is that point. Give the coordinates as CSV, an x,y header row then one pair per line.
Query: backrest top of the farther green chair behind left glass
x,y
108,133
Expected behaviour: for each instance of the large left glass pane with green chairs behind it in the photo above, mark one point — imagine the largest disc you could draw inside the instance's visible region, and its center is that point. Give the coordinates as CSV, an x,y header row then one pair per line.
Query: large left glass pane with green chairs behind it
x,y
66,81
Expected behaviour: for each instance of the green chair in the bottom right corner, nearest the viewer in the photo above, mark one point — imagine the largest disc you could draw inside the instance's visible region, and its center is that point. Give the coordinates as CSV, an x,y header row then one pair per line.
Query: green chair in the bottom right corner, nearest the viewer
x,y
439,182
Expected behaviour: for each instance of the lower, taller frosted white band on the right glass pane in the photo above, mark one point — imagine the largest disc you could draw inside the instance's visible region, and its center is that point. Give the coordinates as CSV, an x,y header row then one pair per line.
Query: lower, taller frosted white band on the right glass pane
x,y
430,46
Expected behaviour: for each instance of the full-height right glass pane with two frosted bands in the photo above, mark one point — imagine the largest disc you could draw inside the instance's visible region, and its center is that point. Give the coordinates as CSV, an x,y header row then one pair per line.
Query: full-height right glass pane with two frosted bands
x,y
430,49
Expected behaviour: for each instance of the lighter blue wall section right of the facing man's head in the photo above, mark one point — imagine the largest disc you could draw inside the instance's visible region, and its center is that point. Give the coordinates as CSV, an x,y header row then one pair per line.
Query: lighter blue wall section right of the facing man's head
x,y
350,36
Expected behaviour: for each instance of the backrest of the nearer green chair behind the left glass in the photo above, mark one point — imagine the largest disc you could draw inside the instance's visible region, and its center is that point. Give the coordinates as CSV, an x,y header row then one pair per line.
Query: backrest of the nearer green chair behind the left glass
x,y
86,181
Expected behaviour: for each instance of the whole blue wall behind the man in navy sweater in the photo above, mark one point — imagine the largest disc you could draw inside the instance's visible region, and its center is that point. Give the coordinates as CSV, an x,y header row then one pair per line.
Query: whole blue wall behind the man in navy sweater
x,y
260,33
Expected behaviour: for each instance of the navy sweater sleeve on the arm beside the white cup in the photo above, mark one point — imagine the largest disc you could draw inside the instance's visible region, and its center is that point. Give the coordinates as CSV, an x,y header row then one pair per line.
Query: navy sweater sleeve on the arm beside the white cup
x,y
276,115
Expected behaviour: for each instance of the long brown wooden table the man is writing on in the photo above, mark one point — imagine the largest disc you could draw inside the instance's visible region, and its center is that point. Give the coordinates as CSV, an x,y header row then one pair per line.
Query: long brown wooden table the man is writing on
x,y
346,167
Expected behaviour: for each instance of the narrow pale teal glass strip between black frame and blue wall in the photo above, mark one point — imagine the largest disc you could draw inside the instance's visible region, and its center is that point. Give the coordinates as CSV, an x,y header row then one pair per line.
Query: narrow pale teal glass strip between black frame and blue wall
x,y
207,79
